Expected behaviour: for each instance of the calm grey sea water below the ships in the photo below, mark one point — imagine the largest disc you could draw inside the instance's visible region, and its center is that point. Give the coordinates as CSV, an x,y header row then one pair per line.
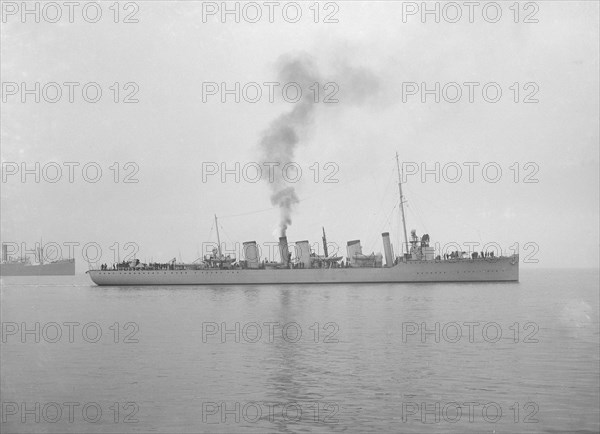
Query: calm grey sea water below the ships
x,y
343,358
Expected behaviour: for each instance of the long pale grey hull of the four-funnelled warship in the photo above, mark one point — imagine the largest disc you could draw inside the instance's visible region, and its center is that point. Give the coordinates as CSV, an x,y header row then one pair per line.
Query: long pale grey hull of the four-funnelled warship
x,y
504,269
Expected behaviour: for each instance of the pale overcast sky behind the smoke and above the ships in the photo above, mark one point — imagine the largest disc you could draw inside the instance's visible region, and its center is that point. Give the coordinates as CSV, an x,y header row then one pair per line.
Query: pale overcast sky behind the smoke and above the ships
x,y
372,56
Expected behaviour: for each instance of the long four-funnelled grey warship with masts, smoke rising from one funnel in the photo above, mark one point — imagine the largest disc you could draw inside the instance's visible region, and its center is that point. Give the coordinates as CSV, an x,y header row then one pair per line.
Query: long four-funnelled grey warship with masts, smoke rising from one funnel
x,y
416,263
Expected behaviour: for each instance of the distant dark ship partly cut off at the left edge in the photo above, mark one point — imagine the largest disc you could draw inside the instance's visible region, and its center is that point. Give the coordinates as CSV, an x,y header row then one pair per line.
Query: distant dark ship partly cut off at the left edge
x,y
23,266
